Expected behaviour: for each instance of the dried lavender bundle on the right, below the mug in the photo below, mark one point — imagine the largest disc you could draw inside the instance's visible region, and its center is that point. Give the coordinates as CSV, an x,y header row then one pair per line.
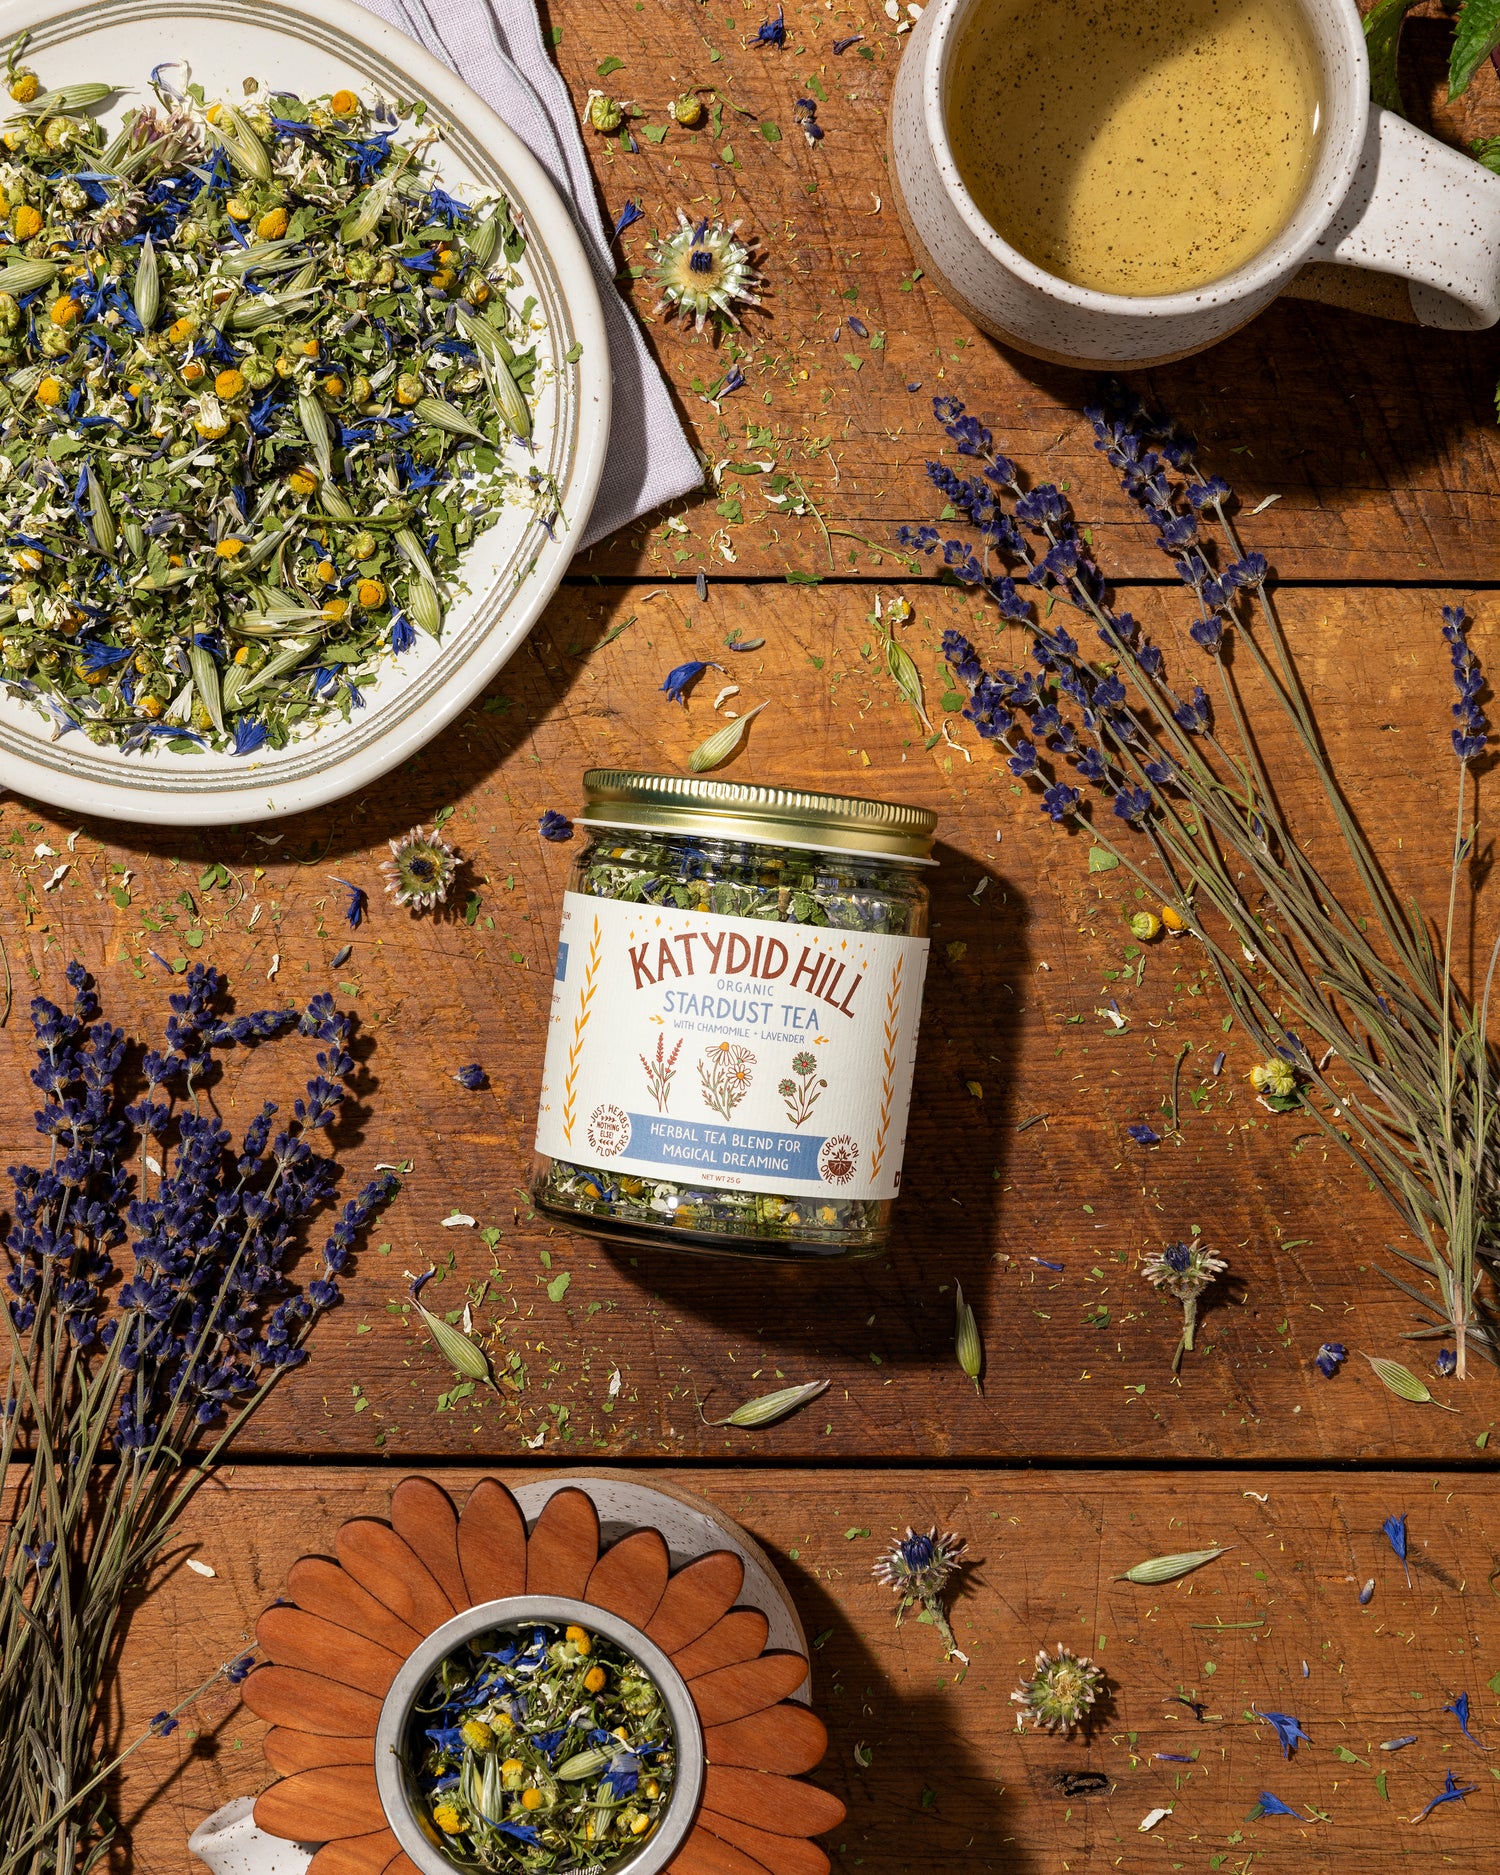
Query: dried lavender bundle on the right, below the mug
x,y
1357,1010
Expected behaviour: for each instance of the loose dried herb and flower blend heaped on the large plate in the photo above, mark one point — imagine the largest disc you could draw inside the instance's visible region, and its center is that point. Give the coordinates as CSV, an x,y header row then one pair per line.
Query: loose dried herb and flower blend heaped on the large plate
x,y
262,382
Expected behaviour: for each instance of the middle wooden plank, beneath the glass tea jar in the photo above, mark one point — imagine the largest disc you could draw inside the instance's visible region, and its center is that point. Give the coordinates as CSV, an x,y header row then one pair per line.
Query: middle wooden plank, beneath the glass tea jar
x,y
982,1197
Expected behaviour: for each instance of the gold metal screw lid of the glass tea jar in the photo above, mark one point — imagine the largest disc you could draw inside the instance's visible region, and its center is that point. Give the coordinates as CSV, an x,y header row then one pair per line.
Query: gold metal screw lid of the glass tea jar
x,y
770,817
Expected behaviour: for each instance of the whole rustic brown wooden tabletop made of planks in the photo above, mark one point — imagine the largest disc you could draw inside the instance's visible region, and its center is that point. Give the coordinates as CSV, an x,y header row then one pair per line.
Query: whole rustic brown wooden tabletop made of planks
x,y
1081,1456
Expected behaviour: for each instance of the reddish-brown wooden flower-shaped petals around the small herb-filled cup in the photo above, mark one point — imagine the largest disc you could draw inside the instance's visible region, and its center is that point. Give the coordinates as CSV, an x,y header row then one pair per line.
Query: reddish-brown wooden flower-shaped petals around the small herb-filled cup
x,y
335,1653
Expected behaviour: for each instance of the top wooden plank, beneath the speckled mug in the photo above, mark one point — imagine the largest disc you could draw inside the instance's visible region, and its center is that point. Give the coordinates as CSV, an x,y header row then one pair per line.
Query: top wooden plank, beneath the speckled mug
x,y
1379,438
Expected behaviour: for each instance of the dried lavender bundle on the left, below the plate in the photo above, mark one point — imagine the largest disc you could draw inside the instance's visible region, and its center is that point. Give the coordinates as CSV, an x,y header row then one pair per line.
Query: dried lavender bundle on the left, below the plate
x,y
119,1402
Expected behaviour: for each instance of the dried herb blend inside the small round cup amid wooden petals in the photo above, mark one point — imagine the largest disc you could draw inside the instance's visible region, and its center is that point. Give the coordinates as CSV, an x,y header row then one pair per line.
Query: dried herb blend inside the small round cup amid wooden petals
x,y
541,1748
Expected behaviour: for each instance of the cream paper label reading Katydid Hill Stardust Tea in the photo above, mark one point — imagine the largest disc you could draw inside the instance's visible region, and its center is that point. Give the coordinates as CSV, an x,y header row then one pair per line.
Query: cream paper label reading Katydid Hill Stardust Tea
x,y
730,1053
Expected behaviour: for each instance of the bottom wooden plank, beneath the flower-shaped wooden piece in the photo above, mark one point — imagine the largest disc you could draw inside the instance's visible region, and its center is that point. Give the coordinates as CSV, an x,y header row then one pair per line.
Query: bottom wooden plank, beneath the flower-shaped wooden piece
x,y
1049,1550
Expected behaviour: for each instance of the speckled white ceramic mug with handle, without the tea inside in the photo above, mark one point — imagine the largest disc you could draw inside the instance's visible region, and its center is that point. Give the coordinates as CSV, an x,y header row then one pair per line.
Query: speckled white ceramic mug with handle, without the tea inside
x,y
1385,198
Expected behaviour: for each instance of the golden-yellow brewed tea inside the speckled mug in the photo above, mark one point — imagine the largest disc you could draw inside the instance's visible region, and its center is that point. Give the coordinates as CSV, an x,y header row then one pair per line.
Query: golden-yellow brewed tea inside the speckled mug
x,y
1135,149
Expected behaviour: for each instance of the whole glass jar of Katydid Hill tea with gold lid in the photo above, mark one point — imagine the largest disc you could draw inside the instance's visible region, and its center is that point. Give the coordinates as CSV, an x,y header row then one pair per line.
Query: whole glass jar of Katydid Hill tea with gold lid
x,y
734,1021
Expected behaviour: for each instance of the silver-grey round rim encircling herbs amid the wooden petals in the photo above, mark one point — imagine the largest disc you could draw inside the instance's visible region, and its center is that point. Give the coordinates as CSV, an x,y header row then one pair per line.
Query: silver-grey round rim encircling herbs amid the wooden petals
x,y
395,1778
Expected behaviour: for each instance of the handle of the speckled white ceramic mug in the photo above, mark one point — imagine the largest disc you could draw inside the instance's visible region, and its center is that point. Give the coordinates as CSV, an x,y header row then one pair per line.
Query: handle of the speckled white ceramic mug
x,y
1426,215
